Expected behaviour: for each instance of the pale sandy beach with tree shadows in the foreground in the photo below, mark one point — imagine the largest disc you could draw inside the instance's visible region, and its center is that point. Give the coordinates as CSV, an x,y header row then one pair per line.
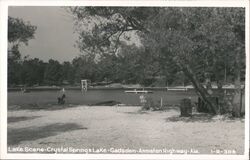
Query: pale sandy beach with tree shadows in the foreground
x,y
123,128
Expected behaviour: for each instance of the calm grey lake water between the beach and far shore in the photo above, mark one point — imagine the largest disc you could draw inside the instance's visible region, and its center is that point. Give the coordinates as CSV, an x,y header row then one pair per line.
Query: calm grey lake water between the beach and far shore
x,y
95,96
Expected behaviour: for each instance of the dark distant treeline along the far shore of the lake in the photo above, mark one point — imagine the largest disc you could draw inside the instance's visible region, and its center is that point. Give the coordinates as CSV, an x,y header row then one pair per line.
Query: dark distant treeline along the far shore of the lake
x,y
134,66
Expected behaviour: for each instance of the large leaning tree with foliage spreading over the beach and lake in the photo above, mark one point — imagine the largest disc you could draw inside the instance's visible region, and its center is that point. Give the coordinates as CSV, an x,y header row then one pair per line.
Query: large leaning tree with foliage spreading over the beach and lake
x,y
193,38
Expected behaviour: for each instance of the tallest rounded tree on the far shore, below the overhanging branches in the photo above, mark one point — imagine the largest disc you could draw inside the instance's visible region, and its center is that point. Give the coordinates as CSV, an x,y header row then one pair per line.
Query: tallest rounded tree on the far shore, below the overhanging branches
x,y
139,65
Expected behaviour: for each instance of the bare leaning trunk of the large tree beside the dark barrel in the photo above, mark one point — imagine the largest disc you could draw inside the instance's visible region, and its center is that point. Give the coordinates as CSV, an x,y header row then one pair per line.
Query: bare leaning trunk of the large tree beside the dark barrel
x,y
202,92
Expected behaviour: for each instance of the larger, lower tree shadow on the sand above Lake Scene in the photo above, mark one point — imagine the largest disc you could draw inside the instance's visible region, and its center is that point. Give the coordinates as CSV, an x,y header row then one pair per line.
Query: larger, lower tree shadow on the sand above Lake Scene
x,y
15,136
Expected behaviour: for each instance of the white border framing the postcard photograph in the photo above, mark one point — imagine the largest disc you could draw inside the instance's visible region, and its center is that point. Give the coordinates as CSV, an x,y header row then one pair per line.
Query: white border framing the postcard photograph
x,y
4,4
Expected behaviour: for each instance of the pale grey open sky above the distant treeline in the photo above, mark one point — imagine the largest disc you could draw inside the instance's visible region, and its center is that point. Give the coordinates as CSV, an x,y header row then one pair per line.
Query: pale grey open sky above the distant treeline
x,y
54,37
